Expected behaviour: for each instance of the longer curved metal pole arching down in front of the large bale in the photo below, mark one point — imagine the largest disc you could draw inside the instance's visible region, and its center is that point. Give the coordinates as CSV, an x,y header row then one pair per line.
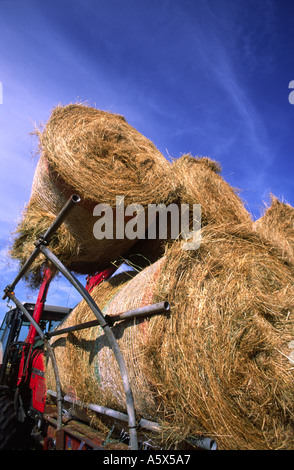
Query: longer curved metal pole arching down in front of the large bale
x,y
109,335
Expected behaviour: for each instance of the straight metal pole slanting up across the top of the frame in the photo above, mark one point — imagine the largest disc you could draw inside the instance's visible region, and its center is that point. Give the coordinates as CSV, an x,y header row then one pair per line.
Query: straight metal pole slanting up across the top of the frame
x,y
74,199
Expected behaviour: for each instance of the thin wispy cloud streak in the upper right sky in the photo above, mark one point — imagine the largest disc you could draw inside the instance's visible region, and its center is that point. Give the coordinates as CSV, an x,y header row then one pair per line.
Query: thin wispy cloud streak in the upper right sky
x,y
223,57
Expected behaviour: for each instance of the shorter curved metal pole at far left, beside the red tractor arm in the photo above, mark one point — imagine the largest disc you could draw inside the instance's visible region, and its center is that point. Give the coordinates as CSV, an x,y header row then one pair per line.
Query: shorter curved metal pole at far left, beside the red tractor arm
x,y
50,351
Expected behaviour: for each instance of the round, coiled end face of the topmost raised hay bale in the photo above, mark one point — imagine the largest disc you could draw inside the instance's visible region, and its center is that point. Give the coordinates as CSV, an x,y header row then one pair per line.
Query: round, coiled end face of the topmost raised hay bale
x,y
102,156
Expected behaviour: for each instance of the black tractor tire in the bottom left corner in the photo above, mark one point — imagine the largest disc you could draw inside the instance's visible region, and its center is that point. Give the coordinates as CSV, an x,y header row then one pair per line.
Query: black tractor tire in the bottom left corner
x,y
8,423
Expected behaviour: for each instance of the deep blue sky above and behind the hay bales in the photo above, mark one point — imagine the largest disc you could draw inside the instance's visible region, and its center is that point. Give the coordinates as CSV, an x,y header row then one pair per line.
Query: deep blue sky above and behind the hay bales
x,y
207,77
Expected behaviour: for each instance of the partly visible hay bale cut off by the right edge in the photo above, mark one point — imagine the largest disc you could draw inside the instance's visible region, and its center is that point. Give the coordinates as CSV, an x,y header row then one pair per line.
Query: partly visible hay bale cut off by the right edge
x,y
277,224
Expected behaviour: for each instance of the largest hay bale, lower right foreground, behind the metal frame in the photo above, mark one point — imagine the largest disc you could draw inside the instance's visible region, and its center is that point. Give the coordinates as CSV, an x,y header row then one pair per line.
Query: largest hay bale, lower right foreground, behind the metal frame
x,y
219,365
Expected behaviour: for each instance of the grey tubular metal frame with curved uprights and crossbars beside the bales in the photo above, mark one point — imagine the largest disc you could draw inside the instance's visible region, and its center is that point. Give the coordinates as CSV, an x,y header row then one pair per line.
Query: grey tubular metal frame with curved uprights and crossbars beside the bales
x,y
104,321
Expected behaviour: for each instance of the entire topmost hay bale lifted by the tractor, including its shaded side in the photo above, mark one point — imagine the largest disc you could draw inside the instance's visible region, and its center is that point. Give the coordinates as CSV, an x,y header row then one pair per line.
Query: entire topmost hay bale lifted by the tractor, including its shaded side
x,y
99,156
